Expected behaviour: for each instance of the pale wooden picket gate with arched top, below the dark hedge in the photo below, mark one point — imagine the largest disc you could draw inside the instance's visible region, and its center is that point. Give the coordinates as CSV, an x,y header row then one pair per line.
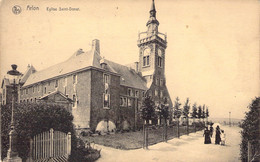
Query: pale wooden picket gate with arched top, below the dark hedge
x,y
50,146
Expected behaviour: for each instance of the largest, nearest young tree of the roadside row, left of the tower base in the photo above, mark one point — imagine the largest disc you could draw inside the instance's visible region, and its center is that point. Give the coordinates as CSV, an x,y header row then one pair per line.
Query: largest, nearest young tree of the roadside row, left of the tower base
x,y
147,113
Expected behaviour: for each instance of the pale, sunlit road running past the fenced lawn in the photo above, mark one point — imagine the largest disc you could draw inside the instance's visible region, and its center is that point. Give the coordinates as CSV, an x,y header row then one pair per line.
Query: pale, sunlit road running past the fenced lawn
x,y
185,149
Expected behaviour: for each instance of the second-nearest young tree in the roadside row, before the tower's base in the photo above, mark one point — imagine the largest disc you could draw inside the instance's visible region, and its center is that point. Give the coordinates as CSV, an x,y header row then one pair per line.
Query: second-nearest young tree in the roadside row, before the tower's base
x,y
164,113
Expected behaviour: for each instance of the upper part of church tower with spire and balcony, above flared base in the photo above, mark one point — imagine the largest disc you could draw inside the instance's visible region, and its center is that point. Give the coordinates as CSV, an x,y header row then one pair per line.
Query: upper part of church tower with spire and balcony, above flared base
x,y
152,45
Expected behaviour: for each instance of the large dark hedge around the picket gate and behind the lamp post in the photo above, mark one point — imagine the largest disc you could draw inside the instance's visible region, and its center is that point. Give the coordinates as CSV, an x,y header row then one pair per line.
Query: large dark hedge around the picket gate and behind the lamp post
x,y
32,119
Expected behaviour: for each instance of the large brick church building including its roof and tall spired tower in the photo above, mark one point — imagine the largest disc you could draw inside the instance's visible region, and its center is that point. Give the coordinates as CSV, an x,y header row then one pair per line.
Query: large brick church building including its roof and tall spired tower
x,y
99,90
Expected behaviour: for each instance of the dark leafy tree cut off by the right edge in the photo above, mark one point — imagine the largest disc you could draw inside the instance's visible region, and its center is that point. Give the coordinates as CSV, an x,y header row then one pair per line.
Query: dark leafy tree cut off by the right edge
x,y
250,131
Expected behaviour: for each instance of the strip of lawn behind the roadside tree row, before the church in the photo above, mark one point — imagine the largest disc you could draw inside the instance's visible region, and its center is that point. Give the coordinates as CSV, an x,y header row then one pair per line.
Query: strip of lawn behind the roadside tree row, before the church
x,y
134,140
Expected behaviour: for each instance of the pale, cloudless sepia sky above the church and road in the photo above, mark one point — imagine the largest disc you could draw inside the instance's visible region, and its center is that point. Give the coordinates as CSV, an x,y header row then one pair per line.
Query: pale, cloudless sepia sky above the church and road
x,y
213,45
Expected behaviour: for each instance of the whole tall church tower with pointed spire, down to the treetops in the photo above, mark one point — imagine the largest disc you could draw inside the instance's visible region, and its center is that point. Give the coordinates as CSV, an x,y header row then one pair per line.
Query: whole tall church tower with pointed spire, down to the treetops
x,y
152,45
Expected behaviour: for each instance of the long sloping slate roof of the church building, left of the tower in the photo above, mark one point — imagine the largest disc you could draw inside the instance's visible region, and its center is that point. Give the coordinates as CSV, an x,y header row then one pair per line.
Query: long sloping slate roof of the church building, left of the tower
x,y
80,60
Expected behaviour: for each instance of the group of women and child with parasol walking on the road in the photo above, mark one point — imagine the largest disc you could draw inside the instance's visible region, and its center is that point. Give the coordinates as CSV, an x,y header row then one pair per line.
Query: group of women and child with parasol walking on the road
x,y
220,136
